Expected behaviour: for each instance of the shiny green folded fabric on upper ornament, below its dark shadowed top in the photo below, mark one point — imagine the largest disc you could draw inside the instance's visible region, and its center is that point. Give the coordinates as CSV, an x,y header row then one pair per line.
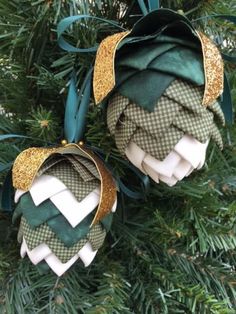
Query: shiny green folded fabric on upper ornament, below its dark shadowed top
x,y
153,65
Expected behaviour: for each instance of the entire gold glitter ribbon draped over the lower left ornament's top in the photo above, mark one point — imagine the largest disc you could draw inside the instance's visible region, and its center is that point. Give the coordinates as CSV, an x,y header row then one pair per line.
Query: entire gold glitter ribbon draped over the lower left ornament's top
x,y
28,163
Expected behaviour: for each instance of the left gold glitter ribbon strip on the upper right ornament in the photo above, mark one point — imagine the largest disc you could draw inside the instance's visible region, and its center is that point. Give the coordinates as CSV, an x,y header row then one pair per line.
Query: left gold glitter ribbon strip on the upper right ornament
x,y
104,68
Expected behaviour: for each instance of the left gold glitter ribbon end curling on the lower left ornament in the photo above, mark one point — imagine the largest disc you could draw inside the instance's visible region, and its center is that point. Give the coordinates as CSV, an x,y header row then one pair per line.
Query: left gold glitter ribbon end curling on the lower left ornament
x,y
27,165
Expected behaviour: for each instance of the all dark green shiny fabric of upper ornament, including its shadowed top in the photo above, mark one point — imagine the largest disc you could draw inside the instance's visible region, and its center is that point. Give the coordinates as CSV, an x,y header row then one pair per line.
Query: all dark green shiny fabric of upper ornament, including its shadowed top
x,y
162,46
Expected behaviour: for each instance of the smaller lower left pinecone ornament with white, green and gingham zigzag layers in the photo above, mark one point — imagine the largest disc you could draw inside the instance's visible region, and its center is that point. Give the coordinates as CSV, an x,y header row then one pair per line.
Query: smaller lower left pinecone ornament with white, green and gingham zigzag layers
x,y
65,201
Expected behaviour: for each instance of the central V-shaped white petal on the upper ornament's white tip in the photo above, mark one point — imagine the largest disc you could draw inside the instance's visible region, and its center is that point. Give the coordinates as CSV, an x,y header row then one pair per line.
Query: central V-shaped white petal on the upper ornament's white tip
x,y
165,167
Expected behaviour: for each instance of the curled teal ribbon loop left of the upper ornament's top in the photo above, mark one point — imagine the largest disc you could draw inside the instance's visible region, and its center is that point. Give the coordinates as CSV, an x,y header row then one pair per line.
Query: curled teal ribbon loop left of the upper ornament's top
x,y
66,22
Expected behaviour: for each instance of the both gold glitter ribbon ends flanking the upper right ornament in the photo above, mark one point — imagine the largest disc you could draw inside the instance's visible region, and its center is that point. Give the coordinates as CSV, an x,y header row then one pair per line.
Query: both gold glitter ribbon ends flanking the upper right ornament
x,y
104,69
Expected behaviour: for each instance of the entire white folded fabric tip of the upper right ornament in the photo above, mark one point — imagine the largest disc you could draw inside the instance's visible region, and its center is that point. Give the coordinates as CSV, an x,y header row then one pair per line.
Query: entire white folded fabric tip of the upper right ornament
x,y
187,155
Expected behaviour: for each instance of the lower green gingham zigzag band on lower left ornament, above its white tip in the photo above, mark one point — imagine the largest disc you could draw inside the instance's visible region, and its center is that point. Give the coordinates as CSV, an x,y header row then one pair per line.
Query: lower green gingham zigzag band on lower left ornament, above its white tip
x,y
43,234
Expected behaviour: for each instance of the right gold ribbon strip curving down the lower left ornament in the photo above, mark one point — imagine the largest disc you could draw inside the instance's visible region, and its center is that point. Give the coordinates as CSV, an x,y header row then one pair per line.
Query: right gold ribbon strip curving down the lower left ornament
x,y
108,186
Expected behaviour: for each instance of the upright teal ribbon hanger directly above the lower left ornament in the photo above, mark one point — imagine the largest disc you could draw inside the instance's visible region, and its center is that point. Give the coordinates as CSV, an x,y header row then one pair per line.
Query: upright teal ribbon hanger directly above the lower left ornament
x,y
77,108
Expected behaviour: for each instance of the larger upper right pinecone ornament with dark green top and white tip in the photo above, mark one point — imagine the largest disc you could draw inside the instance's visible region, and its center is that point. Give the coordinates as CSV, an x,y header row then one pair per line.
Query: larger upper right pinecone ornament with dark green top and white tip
x,y
161,83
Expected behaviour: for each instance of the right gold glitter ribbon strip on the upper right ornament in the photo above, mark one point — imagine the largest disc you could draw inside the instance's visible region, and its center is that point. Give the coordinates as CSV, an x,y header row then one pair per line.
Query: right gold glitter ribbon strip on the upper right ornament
x,y
213,69
